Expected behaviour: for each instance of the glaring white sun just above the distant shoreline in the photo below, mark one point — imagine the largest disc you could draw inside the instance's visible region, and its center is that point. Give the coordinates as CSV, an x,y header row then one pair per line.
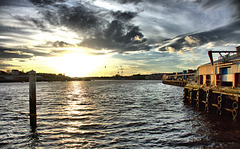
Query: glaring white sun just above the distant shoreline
x,y
76,64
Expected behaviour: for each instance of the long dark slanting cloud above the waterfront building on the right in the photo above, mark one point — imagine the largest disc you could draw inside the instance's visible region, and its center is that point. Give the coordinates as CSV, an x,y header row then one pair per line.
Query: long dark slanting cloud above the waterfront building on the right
x,y
220,36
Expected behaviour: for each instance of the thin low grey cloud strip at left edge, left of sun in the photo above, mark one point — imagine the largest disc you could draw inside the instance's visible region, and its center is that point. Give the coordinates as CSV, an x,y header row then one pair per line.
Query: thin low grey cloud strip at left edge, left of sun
x,y
19,53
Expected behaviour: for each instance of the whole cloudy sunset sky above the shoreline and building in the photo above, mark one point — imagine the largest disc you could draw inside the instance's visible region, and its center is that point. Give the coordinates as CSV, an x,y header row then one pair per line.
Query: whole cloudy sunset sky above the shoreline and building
x,y
109,37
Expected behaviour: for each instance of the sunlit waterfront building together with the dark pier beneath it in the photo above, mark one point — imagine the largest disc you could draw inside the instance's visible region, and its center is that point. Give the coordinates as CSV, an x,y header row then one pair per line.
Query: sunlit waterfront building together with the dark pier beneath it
x,y
216,86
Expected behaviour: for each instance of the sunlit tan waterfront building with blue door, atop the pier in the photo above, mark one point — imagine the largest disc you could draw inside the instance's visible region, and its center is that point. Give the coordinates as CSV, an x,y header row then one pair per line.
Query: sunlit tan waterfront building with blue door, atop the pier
x,y
223,72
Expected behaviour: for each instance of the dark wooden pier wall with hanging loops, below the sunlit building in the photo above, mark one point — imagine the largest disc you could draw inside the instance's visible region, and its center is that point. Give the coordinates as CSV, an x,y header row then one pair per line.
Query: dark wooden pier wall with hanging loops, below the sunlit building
x,y
221,100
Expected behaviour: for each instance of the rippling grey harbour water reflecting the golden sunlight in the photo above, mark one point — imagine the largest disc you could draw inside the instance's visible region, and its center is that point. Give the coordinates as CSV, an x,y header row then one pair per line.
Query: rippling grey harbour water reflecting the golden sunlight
x,y
109,114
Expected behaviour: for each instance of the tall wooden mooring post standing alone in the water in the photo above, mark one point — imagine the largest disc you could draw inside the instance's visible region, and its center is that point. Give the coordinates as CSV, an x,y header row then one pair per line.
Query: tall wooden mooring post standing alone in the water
x,y
32,99
